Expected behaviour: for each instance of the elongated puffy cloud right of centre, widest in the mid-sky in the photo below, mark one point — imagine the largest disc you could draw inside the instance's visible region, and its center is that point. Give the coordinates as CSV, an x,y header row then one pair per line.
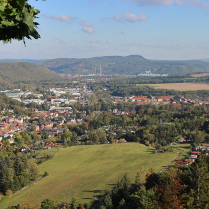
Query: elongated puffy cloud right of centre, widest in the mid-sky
x,y
129,17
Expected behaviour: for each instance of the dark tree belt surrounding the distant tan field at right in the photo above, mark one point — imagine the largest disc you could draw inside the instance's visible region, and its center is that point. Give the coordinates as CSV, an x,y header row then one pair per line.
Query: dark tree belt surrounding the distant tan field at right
x,y
132,86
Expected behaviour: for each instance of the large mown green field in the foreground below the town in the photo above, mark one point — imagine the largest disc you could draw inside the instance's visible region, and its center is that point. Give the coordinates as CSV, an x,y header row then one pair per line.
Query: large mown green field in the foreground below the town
x,y
83,171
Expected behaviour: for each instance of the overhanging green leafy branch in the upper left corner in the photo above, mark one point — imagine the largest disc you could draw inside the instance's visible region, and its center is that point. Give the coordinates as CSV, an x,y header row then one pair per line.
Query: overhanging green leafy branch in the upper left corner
x,y
17,20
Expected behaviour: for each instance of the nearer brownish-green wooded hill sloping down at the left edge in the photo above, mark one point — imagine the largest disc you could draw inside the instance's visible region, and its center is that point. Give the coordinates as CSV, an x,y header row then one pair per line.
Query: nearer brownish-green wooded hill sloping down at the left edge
x,y
25,72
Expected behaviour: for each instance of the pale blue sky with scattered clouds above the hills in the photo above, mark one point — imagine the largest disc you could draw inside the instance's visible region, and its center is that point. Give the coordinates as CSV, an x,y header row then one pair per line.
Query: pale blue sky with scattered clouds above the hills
x,y
154,29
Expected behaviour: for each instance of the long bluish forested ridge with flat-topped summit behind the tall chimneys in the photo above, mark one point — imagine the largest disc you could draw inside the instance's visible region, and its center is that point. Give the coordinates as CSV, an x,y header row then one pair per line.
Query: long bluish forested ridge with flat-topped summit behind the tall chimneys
x,y
130,65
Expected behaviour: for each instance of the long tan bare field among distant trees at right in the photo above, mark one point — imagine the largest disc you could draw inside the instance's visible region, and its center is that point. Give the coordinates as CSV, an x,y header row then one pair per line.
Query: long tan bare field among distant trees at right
x,y
180,86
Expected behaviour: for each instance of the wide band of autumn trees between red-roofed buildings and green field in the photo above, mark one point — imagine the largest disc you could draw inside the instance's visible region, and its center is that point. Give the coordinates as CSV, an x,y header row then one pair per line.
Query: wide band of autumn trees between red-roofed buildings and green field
x,y
149,124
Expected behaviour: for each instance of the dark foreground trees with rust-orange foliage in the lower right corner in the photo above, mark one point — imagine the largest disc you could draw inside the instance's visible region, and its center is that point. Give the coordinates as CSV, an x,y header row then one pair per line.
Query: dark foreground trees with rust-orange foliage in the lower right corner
x,y
184,188
